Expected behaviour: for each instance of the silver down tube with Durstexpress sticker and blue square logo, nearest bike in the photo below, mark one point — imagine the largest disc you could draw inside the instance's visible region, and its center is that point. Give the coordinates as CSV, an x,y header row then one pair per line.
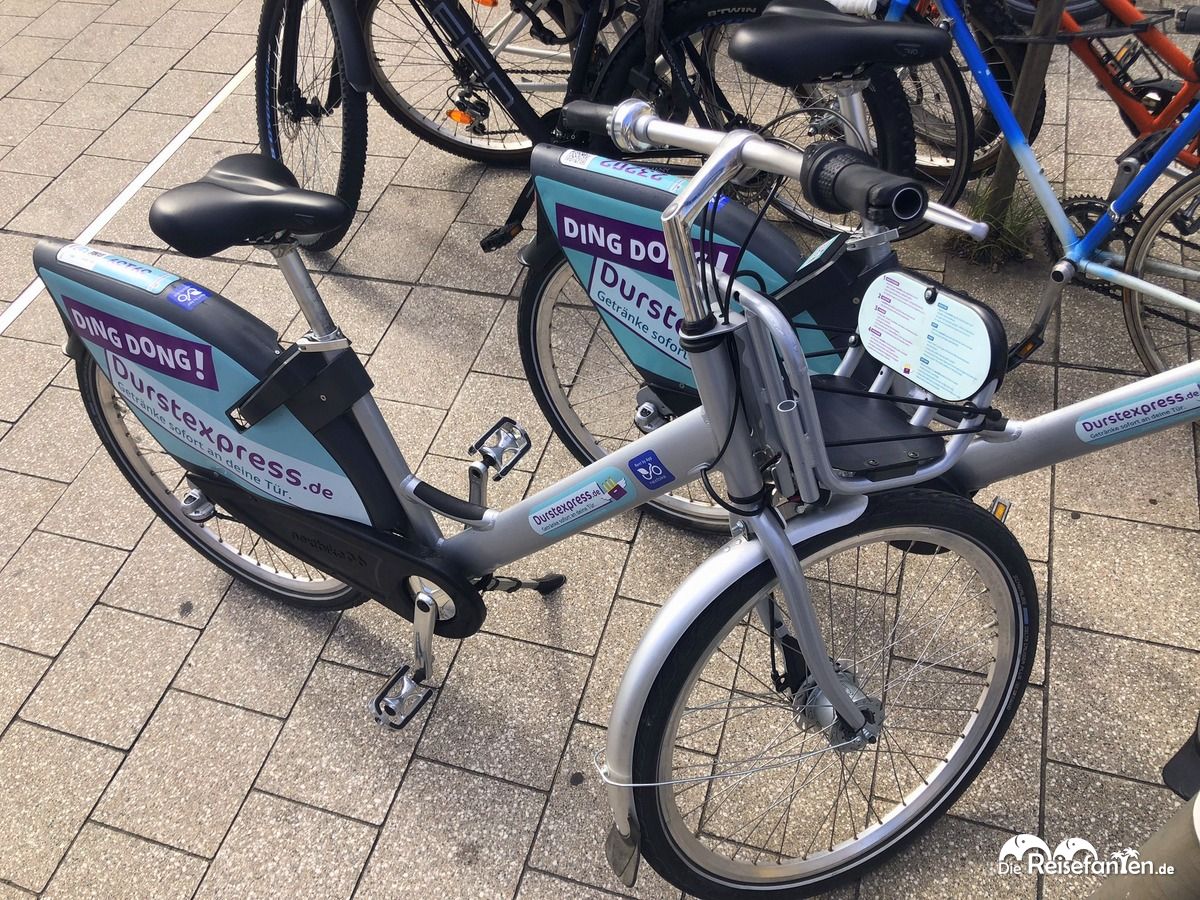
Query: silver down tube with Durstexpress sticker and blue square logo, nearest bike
x,y
662,461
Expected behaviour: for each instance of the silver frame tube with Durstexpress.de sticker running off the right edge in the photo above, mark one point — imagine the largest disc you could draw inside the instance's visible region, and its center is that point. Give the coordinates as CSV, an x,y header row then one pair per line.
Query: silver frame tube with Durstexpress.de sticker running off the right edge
x,y
1115,417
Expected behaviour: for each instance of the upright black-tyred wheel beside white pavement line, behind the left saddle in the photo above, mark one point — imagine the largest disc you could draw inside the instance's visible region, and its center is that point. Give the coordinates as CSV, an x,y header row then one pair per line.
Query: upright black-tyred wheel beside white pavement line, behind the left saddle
x,y
284,124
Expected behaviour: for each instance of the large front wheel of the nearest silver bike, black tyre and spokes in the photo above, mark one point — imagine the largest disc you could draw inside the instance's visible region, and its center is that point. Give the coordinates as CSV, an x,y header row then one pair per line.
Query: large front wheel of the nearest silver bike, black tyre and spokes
x,y
745,785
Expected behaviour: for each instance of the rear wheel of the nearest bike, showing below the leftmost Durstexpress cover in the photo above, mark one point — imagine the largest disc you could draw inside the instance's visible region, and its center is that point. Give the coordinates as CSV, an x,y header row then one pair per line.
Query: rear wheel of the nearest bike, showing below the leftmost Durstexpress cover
x,y
133,448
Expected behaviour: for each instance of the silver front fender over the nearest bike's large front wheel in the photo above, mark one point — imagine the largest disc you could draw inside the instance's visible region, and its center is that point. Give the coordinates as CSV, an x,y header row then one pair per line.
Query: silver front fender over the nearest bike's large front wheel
x,y
689,601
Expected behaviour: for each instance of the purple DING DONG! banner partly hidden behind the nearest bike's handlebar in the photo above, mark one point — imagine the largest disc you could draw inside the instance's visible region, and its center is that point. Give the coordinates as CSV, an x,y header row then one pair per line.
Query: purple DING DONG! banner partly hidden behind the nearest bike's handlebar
x,y
631,245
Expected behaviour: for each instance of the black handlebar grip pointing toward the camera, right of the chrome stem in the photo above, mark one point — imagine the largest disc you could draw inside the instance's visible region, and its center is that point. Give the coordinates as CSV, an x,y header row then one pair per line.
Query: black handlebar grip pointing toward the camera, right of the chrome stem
x,y
843,179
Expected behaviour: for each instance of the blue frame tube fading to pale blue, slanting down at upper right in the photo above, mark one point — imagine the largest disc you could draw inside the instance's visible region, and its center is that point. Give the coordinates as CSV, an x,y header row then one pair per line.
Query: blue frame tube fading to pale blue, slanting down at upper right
x,y
1004,115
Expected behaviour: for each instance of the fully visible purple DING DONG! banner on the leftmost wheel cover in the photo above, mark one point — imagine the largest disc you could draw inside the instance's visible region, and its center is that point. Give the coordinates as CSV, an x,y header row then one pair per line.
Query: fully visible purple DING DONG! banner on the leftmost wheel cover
x,y
173,357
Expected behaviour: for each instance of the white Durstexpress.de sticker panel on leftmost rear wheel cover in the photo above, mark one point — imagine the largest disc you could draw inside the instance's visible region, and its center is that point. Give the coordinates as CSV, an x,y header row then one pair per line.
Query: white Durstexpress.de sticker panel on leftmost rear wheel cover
x,y
278,476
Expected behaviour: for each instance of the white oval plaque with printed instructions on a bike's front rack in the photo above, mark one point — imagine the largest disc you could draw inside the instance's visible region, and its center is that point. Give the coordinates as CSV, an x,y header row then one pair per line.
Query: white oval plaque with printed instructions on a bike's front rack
x,y
926,334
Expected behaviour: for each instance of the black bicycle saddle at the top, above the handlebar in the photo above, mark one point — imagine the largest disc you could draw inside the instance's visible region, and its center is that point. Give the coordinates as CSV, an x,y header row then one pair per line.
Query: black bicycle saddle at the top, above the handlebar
x,y
800,41
